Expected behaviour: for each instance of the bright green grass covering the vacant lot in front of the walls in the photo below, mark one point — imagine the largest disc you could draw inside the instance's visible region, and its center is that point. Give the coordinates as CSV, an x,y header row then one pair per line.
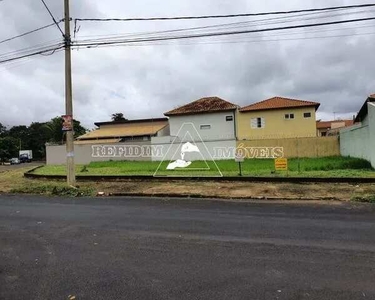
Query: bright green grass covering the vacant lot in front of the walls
x,y
304,167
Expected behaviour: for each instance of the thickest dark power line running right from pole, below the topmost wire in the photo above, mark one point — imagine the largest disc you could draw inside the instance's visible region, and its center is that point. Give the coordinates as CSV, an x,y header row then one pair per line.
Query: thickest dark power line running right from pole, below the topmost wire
x,y
192,36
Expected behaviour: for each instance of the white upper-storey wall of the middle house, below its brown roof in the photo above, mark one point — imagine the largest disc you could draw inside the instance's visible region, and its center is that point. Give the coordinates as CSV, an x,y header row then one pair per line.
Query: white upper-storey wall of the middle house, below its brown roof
x,y
220,128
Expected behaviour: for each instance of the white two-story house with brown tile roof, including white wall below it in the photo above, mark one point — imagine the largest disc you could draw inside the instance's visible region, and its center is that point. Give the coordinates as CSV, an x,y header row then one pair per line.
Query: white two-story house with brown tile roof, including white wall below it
x,y
210,123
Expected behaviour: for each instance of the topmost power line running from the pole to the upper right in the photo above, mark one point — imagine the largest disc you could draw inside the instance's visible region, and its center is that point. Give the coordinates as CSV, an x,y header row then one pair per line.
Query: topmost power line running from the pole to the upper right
x,y
225,16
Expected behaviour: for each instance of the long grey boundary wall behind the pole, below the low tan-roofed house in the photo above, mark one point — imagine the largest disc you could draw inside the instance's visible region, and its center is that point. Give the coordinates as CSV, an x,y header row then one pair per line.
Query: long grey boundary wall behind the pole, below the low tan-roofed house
x,y
84,154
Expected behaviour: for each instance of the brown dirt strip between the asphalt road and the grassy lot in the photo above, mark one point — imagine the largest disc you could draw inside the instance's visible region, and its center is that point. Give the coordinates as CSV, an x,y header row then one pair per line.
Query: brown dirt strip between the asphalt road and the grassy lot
x,y
318,191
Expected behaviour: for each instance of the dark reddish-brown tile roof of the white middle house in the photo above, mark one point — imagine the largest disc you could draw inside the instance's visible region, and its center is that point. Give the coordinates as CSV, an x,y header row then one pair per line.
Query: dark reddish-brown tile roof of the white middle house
x,y
203,105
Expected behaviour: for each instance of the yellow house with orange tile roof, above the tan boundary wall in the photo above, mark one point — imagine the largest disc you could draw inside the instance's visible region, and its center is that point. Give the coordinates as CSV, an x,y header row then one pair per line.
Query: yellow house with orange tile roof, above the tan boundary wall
x,y
277,117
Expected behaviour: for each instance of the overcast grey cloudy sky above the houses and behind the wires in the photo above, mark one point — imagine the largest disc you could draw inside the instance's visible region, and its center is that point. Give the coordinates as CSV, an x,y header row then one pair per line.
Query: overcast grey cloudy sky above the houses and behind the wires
x,y
147,80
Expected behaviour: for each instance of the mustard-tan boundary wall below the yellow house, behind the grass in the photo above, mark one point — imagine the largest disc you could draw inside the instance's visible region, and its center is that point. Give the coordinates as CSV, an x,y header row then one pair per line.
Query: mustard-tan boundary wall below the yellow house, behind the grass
x,y
297,147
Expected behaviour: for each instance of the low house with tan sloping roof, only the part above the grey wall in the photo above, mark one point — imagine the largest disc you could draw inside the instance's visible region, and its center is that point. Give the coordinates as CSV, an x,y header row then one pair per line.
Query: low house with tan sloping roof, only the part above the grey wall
x,y
124,131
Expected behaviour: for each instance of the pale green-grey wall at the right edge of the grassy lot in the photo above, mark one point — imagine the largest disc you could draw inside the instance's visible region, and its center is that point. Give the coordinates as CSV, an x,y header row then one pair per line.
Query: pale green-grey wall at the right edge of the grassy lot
x,y
359,140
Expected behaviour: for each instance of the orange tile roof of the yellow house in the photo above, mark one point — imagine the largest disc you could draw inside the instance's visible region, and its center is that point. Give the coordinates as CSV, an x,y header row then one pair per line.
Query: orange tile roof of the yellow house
x,y
277,103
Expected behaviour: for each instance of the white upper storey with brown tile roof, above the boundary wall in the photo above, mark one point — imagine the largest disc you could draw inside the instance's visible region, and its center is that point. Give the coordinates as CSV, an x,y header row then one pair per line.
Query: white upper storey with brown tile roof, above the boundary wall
x,y
213,118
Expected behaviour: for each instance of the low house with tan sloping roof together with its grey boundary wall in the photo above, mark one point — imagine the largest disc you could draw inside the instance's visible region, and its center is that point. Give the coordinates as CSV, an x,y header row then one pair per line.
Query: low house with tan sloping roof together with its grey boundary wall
x,y
111,141
